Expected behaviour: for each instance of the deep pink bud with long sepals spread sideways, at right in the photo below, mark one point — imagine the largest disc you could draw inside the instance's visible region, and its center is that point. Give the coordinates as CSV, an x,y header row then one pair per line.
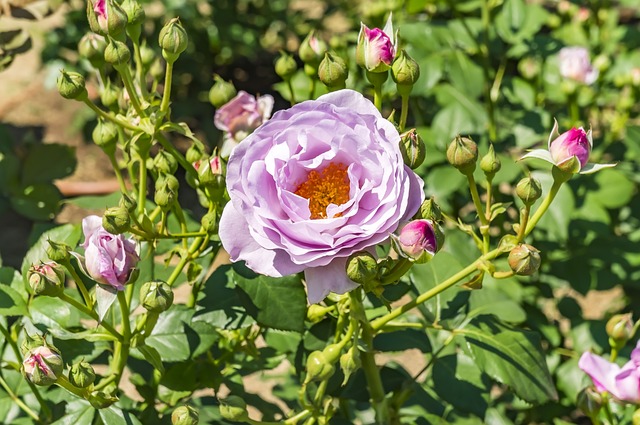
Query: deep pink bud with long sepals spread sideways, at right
x,y
569,151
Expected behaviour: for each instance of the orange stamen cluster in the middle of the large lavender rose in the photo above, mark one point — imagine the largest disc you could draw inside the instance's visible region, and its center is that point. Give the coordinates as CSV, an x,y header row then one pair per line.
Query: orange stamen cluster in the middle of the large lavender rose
x,y
325,187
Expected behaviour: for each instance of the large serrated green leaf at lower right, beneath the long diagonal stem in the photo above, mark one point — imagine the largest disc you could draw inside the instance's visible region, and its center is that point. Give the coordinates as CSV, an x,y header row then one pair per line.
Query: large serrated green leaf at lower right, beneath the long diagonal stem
x,y
511,356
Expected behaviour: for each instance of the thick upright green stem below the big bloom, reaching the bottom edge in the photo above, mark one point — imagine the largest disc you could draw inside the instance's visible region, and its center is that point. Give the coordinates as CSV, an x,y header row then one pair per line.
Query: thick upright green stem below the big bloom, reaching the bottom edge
x,y
369,367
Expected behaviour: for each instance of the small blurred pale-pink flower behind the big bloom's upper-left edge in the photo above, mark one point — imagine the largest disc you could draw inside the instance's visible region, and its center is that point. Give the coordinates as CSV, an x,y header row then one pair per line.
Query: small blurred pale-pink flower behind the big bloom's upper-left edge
x,y
240,116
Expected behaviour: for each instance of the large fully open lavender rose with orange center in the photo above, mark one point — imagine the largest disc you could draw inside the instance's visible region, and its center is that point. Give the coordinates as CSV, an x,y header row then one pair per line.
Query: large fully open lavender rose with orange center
x,y
314,184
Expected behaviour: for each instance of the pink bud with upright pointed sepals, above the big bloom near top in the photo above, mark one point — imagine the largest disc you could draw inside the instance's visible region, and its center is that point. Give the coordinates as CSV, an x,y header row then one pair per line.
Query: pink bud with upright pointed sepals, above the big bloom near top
x,y
376,47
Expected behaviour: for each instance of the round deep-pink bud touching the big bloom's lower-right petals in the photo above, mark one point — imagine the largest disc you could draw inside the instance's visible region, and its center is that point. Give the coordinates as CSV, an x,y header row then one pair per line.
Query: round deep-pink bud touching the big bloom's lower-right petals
x,y
417,240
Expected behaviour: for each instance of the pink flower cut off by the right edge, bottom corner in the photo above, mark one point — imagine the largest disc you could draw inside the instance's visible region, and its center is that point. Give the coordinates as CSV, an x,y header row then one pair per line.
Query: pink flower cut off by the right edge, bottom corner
x,y
622,382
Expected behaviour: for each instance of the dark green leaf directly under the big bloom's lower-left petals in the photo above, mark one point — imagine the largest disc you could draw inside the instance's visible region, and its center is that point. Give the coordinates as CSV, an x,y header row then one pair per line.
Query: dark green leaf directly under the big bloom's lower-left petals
x,y
279,303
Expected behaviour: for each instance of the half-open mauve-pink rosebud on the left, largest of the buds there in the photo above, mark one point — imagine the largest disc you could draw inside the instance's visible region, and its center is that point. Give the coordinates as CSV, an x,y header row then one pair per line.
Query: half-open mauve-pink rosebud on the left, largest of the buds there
x,y
109,259
